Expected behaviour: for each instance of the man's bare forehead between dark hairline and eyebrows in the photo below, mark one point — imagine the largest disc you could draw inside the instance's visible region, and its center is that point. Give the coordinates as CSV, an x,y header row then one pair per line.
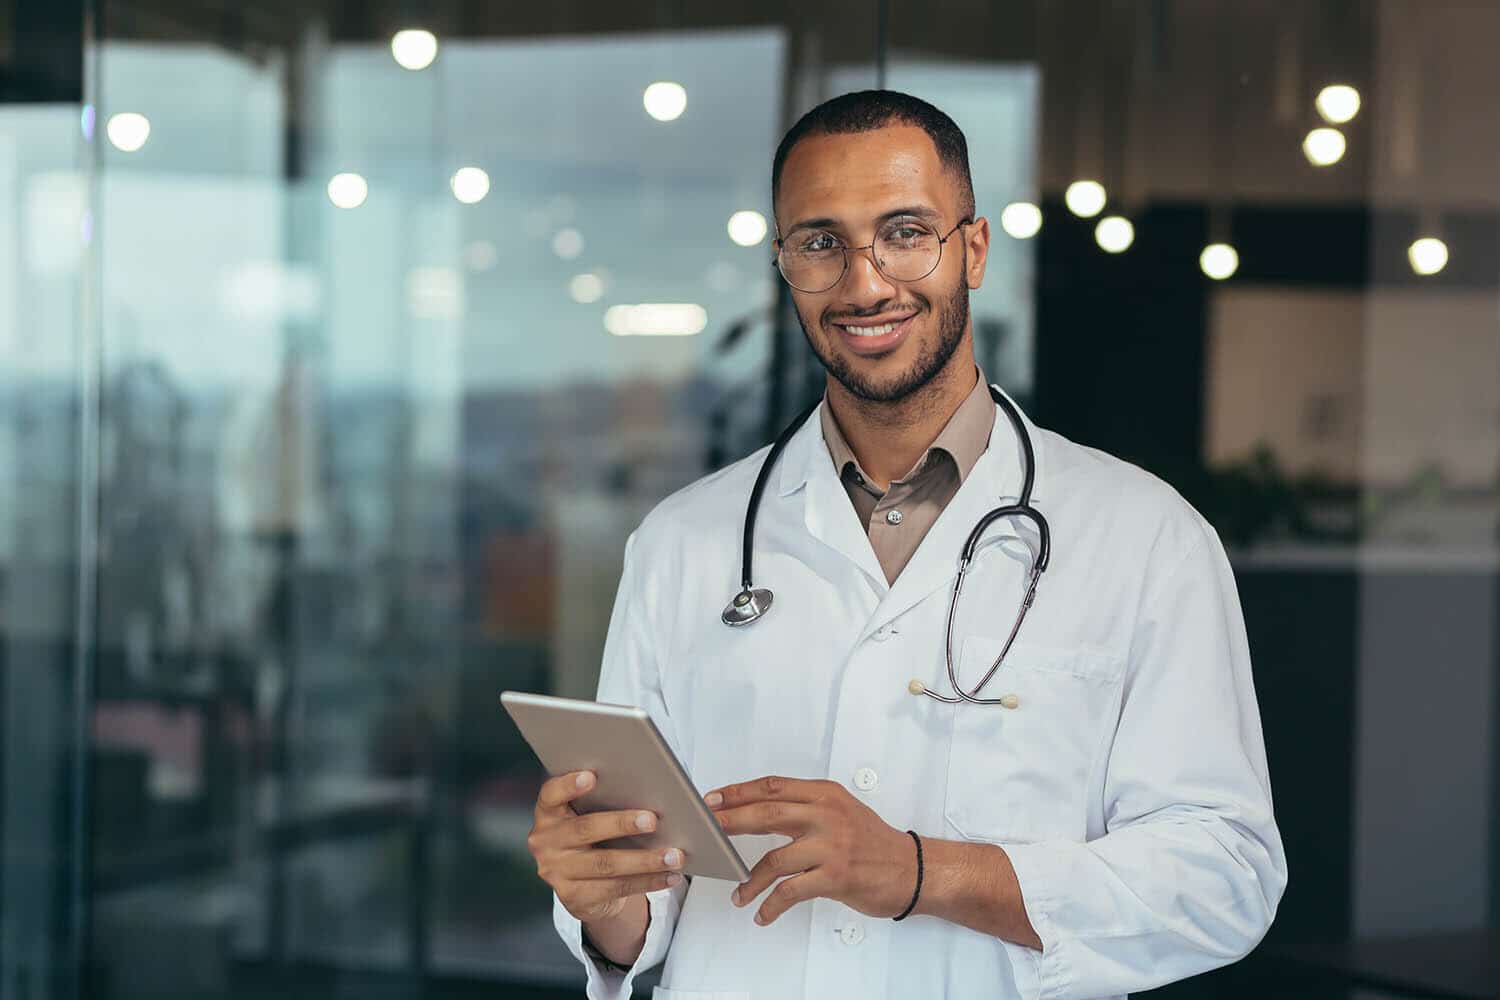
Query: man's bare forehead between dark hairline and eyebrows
x,y
860,175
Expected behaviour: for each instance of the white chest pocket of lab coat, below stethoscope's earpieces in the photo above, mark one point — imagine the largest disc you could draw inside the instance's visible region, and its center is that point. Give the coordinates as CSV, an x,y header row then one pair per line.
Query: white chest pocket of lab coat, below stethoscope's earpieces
x,y
1025,773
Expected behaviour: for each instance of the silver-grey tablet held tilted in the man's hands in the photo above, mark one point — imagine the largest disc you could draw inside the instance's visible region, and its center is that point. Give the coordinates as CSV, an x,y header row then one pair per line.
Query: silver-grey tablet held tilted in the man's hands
x,y
635,770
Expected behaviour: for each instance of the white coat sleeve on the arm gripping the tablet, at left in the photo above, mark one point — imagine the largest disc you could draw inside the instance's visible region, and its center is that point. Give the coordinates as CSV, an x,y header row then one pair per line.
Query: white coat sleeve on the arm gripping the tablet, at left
x,y
629,677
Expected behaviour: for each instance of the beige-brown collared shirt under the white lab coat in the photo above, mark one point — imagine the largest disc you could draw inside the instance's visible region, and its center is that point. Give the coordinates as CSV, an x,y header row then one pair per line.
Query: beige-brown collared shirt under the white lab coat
x,y
899,519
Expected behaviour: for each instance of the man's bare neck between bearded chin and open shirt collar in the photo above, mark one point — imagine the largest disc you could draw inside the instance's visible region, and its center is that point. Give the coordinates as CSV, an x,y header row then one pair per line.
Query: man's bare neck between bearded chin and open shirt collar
x,y
889,439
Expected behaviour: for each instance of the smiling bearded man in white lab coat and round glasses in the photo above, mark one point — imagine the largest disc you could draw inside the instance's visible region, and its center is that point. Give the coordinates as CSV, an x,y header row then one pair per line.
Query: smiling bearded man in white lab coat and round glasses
x,y
1103,827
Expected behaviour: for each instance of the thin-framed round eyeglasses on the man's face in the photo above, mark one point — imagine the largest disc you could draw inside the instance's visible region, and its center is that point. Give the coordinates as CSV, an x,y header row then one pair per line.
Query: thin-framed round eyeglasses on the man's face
x,y
904,251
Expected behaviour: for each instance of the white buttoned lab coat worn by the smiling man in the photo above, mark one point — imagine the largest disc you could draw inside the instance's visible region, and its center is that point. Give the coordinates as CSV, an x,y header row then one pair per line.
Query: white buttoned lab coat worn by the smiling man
x,y
1129,786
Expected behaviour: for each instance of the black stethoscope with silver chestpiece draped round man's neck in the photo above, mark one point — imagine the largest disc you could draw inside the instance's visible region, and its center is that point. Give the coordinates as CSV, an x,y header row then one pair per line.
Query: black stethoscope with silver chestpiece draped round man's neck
x,y
752,602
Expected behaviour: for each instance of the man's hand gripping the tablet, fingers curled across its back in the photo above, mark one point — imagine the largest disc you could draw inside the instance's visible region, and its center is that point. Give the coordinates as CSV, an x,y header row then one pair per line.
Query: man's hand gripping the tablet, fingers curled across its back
x,y
595,884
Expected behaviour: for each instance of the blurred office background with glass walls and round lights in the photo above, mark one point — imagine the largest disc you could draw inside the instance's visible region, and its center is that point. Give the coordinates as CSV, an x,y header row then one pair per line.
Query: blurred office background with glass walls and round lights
x,y
343,344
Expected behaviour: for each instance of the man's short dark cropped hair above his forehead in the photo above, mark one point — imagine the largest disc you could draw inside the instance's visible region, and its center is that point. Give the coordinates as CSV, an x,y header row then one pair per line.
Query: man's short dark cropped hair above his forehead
x,y
871,110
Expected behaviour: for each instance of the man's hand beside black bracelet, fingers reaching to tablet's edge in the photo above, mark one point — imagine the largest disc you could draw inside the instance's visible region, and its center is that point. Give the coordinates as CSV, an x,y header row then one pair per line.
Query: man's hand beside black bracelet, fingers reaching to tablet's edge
x,y
841,849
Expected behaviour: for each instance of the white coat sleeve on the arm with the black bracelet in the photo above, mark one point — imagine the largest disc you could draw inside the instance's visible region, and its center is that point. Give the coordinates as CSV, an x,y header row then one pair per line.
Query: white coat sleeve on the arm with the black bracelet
x,y
1192,867
